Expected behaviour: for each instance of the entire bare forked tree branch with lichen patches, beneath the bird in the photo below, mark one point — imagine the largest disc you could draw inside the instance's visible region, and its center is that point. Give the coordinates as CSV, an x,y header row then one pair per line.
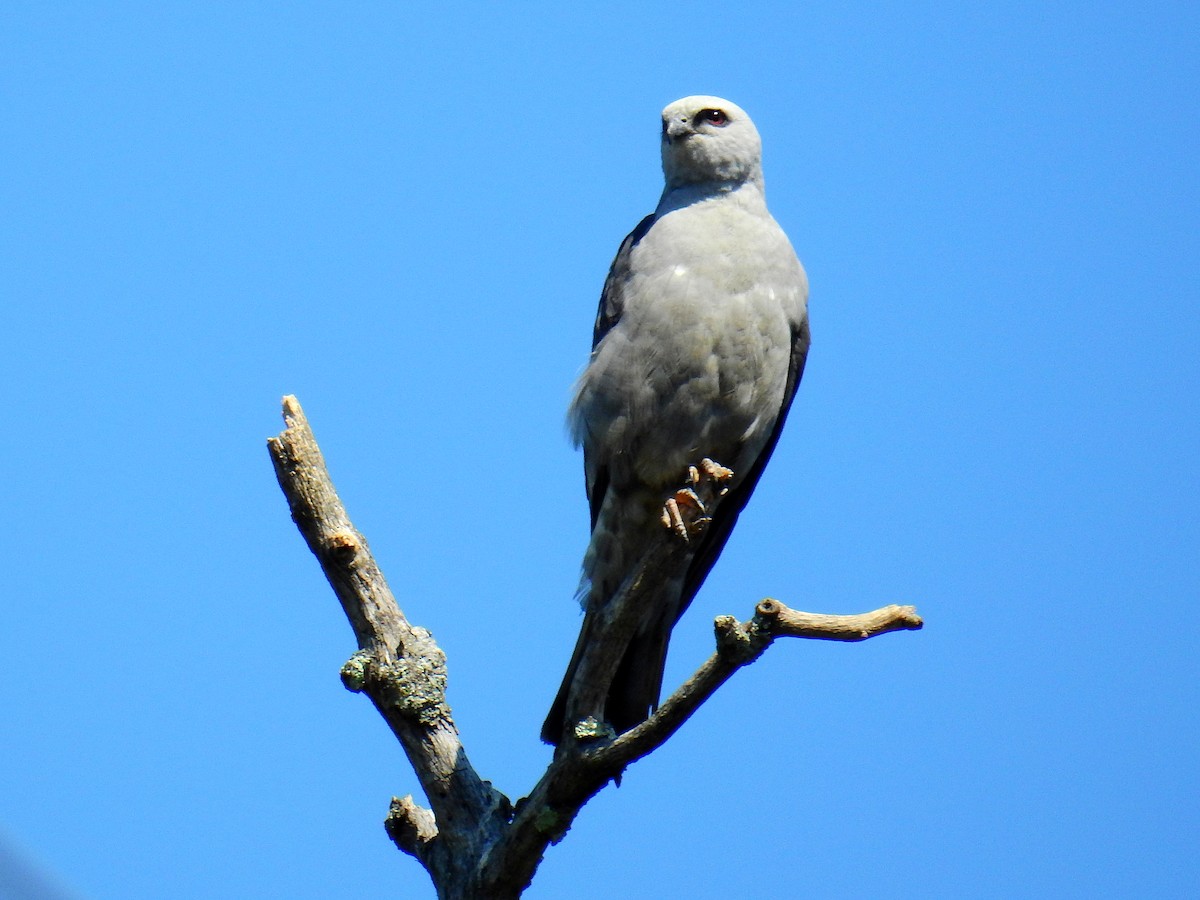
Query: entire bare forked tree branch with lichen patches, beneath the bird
x,y
472,842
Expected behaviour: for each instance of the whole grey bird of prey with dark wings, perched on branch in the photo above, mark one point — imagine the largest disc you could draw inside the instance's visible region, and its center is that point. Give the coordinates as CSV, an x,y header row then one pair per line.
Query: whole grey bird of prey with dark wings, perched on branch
x,y
698,351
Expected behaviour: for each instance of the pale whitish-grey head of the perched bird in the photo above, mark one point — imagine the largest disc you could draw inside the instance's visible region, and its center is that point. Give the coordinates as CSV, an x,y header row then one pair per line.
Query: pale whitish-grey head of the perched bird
x,y
709,140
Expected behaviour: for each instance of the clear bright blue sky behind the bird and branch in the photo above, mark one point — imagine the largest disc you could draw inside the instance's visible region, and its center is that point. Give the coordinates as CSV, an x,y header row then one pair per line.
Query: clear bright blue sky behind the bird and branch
x,y
404,215
